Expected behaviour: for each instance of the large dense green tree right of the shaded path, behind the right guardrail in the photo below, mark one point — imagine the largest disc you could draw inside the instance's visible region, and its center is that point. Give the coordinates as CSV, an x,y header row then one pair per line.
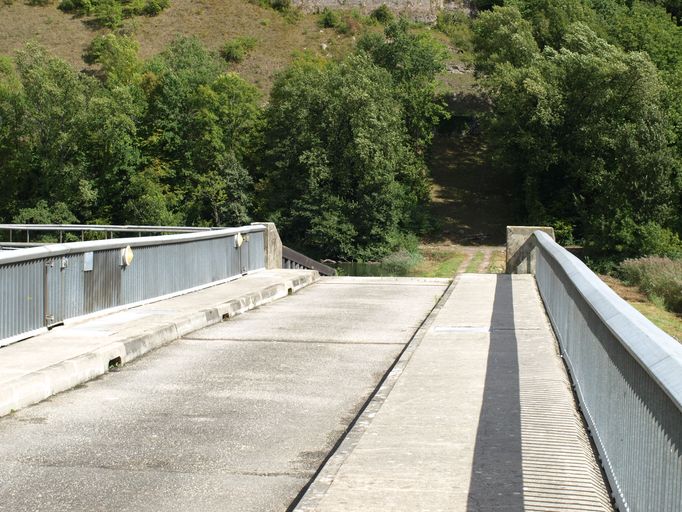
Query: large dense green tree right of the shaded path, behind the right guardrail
x,y
585,129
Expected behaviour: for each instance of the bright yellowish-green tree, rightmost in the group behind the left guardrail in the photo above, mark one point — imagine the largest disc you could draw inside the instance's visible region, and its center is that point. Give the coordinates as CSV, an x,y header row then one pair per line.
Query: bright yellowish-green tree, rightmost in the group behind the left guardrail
x,y
199,126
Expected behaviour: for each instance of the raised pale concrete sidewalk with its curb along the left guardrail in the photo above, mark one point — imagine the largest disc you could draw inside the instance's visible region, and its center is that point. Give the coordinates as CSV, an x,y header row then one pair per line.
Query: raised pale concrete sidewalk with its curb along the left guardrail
x,y
39,367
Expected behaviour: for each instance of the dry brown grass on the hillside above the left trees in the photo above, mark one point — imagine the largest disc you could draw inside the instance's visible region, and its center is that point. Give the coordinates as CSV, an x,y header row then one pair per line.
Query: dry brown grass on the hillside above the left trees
x,y
213,21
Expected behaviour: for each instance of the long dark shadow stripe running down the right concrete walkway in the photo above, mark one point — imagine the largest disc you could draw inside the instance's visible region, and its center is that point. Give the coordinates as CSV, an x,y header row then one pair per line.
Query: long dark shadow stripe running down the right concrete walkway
x,y
497,475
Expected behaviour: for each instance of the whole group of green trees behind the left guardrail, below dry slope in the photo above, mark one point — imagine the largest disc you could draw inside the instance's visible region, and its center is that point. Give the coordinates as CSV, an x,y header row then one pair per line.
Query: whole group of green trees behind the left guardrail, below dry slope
x,y
162,142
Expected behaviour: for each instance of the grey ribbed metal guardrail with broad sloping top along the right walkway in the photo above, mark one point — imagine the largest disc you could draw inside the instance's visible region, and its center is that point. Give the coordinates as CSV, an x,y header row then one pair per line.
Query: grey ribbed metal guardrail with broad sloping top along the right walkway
x,y
628,378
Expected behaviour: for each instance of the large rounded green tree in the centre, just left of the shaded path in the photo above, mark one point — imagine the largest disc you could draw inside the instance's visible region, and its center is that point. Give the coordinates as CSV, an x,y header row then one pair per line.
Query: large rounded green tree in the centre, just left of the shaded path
x,y
339,174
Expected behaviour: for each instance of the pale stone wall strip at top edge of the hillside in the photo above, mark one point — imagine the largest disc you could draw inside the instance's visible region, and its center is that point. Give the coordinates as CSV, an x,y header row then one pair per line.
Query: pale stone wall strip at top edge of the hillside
x,y
422,10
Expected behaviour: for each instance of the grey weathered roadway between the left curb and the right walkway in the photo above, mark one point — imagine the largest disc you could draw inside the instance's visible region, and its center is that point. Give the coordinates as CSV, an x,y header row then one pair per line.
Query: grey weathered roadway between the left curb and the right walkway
x,y
236,417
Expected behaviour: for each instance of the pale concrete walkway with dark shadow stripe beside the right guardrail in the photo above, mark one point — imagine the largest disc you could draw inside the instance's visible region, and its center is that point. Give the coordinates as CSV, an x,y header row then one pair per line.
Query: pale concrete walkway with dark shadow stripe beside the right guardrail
x,y
478,417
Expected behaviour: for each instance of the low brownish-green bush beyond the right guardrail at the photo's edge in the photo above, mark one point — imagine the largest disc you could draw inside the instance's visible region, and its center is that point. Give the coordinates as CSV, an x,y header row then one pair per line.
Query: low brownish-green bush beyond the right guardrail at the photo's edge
x,y
657,277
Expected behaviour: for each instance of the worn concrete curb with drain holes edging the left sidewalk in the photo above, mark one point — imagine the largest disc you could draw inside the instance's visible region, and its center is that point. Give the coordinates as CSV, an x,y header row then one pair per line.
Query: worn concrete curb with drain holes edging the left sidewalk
x,y
37,386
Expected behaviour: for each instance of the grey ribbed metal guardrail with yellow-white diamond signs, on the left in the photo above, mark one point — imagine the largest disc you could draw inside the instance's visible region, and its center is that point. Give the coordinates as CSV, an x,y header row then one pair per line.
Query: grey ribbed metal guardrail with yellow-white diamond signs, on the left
x,y
43,286
